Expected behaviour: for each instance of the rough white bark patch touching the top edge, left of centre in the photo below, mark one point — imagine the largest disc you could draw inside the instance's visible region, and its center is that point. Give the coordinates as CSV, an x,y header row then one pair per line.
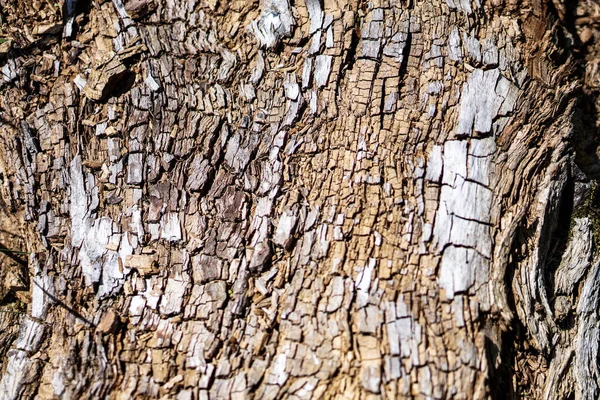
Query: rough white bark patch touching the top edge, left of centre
x,y
275,23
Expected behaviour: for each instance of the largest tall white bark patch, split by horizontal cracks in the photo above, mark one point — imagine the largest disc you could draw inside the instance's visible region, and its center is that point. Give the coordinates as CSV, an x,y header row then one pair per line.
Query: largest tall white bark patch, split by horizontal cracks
x,y
462,223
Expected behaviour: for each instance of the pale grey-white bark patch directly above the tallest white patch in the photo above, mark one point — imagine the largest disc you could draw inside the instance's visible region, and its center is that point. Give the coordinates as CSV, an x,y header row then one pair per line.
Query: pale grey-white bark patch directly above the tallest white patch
x,y
477,102
